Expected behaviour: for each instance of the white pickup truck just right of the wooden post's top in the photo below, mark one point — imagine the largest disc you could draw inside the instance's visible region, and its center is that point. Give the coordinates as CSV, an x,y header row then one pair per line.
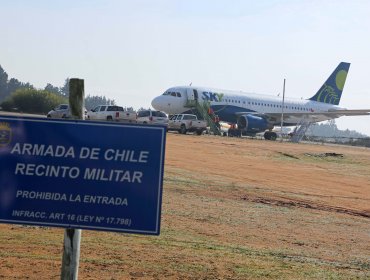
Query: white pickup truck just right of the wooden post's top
x,y
111,113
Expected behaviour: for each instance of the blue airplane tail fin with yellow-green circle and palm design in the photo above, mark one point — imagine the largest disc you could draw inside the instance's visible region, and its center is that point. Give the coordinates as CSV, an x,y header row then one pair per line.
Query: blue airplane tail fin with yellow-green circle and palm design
x,y
331,91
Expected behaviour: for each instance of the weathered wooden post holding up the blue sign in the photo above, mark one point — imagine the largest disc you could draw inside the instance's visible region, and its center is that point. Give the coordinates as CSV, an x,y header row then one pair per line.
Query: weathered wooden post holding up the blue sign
x,y
72,237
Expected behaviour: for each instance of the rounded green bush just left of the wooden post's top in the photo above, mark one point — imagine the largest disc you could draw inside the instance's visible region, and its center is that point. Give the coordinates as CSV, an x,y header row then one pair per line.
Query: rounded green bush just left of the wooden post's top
x,y
32,101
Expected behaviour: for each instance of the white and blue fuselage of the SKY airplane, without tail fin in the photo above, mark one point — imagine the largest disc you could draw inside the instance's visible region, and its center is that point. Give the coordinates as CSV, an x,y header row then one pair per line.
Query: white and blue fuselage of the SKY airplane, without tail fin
x,y
229,105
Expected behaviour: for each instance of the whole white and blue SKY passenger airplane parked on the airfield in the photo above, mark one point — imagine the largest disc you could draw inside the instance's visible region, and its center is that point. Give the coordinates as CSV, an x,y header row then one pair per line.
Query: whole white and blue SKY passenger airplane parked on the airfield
x,y
254,113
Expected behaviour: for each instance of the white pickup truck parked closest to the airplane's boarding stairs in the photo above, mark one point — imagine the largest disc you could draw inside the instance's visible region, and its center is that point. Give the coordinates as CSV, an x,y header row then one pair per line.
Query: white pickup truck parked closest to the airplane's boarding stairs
x,y
186,123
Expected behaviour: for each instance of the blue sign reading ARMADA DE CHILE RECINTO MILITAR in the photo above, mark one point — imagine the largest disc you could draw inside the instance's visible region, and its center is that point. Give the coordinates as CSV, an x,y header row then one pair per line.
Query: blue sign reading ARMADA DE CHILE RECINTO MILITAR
x,y
81,174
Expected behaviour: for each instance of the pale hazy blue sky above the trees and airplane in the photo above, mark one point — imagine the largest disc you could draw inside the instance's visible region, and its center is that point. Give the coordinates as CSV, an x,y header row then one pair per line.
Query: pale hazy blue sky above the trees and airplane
x,y
132,51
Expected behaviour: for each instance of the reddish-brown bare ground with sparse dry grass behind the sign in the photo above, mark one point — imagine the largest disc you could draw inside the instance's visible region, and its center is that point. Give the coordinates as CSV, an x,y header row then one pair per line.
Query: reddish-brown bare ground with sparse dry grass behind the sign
x,y
232,209
